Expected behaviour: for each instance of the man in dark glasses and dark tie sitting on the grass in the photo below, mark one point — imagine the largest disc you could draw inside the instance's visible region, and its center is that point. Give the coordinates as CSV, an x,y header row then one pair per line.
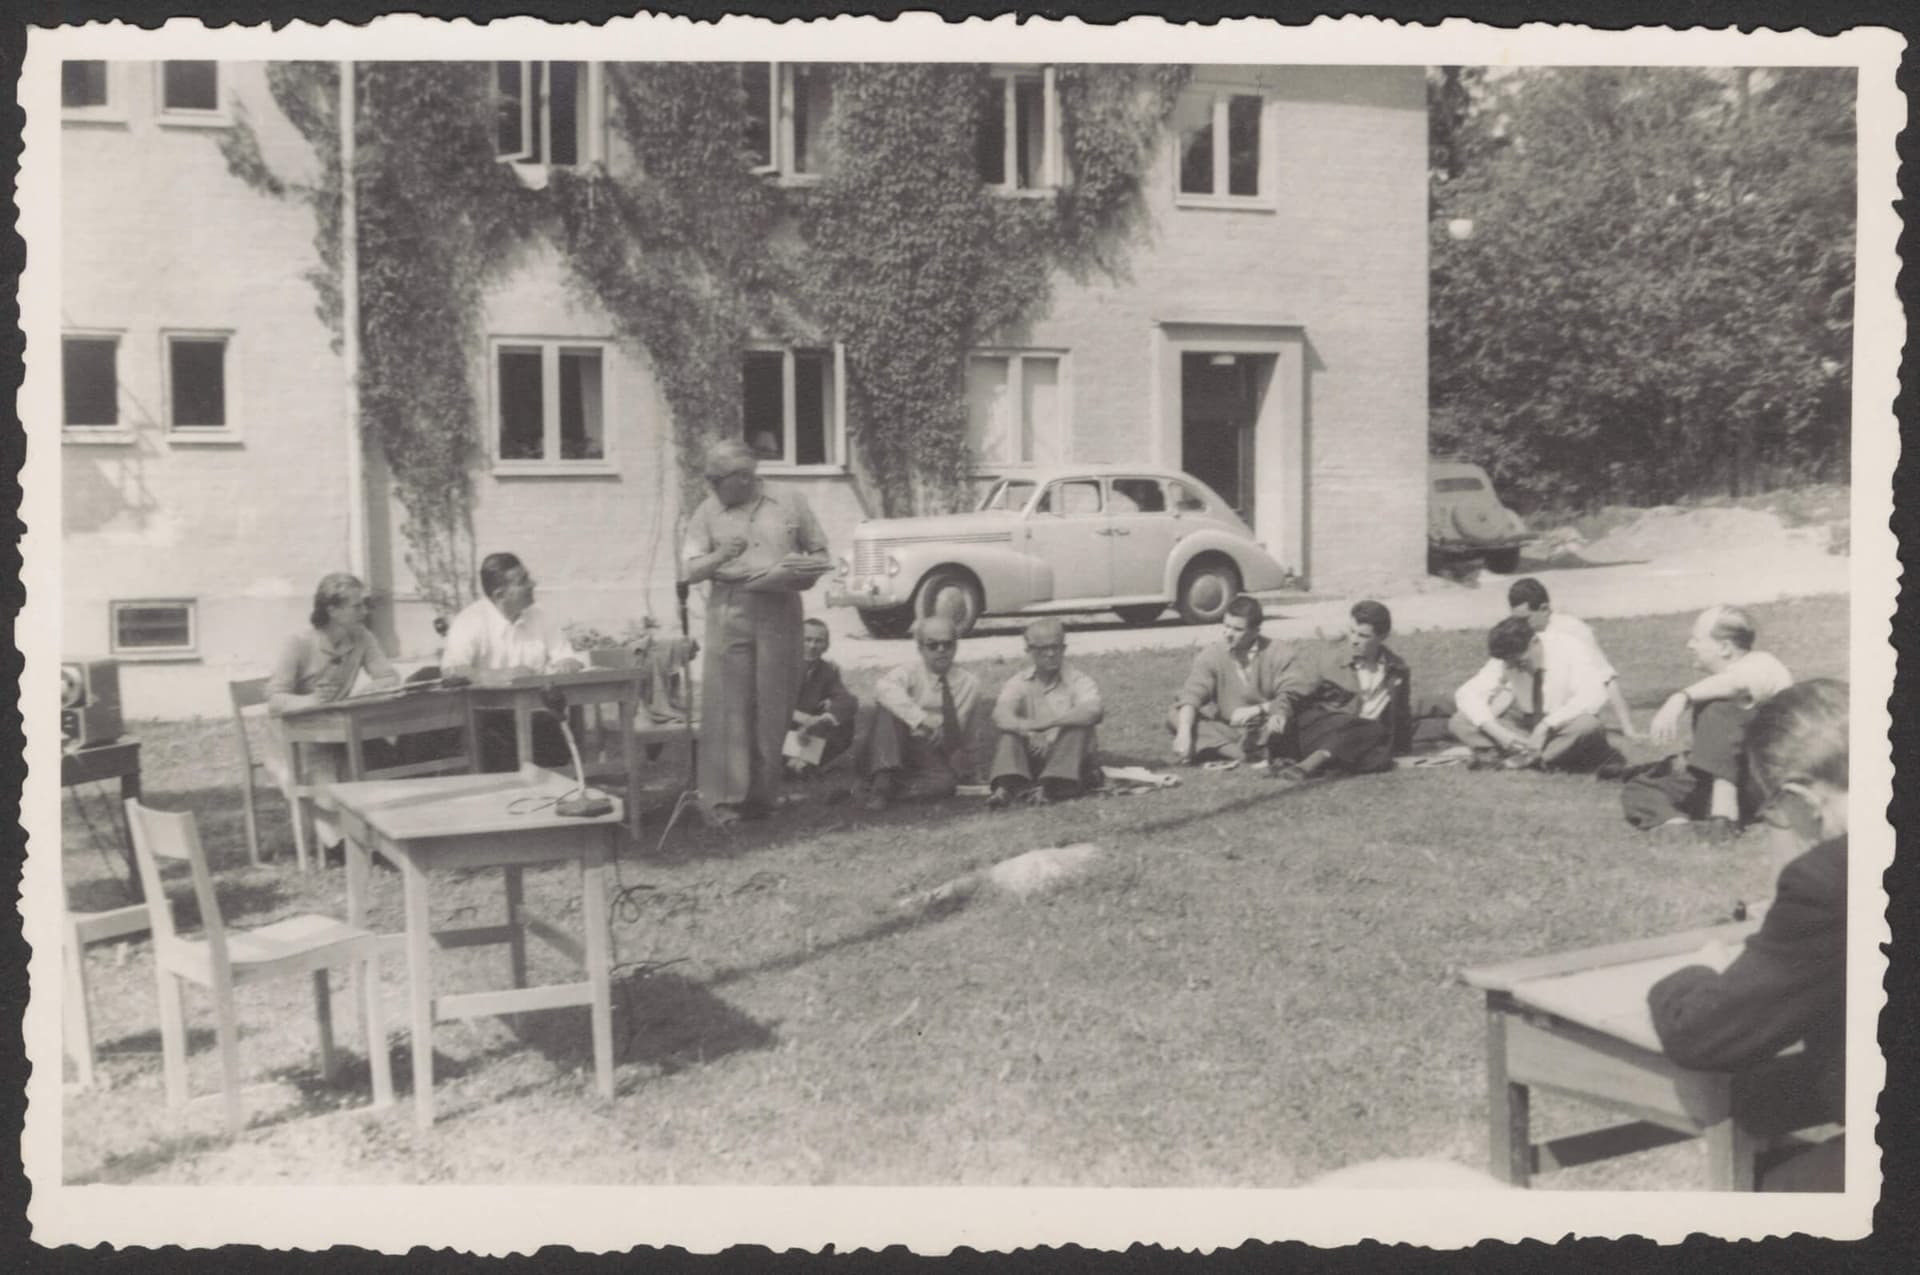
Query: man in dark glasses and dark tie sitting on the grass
x,y
919,740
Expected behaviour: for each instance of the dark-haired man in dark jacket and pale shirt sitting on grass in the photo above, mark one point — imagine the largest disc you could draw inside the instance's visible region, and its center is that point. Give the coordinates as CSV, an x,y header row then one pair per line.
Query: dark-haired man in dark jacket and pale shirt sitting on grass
x,y
1356,706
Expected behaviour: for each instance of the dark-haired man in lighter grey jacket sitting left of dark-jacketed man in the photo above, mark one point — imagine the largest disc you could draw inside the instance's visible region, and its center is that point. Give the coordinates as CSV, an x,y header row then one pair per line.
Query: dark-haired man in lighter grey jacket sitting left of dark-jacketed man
x,y
1236,700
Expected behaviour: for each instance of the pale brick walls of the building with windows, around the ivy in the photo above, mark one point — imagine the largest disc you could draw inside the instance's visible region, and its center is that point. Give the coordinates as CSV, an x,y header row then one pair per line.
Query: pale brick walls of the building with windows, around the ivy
x,y
1270,337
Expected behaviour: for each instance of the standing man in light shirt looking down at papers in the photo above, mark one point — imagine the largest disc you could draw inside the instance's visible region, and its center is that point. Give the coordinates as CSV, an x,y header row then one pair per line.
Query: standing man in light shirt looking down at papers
x,y
759,552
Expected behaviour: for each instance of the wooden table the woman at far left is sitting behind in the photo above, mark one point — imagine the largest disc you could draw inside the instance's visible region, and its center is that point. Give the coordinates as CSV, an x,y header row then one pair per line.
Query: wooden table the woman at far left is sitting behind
x,y
358,719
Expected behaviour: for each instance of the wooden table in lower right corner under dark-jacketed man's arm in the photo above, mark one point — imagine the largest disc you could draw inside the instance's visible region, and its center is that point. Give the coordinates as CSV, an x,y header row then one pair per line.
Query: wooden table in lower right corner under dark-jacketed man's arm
x,y
1577,1024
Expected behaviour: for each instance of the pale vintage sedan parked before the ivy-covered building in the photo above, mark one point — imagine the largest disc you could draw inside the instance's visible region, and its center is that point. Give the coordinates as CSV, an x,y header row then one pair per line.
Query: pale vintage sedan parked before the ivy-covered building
x,y
1067,539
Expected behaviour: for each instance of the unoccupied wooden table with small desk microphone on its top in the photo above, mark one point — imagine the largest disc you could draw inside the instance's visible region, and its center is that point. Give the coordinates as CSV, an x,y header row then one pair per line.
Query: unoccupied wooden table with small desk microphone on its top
x,y
469,823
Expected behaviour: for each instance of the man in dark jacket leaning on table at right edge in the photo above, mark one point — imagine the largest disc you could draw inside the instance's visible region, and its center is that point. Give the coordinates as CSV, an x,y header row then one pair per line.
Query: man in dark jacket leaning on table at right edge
x,y
1790,980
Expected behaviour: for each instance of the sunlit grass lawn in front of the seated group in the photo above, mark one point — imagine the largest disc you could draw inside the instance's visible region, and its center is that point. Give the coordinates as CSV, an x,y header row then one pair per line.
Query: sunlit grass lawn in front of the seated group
x,y
1251,990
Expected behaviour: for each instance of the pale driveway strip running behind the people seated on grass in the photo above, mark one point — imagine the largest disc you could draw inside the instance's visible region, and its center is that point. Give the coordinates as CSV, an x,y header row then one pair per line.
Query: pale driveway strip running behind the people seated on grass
x,y
1771,569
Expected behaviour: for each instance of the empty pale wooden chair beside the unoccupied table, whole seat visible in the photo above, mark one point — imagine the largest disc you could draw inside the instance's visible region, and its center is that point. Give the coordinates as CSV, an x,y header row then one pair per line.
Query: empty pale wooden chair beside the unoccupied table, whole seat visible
x,y
222,961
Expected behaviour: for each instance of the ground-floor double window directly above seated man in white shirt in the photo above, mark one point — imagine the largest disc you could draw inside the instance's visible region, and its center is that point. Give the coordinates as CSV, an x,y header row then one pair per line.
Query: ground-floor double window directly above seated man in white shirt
x,y
550,402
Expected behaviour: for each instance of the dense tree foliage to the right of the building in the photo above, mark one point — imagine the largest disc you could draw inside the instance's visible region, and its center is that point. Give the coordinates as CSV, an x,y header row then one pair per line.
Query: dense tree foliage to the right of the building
x,y
1656,295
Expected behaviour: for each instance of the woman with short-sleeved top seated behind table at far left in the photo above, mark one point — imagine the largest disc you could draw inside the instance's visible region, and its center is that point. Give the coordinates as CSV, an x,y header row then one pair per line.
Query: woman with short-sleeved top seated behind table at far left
x,y
322,665
